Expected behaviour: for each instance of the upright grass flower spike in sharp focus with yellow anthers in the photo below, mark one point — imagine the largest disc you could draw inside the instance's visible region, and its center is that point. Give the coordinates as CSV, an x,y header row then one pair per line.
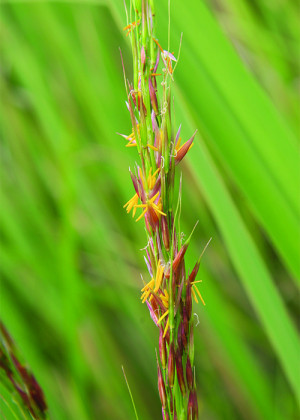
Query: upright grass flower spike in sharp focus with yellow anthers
x,y
168,294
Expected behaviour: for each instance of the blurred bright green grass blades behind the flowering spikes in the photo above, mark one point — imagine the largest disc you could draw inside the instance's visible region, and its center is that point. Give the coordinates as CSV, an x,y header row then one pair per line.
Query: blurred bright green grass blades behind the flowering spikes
x,y
70,255
